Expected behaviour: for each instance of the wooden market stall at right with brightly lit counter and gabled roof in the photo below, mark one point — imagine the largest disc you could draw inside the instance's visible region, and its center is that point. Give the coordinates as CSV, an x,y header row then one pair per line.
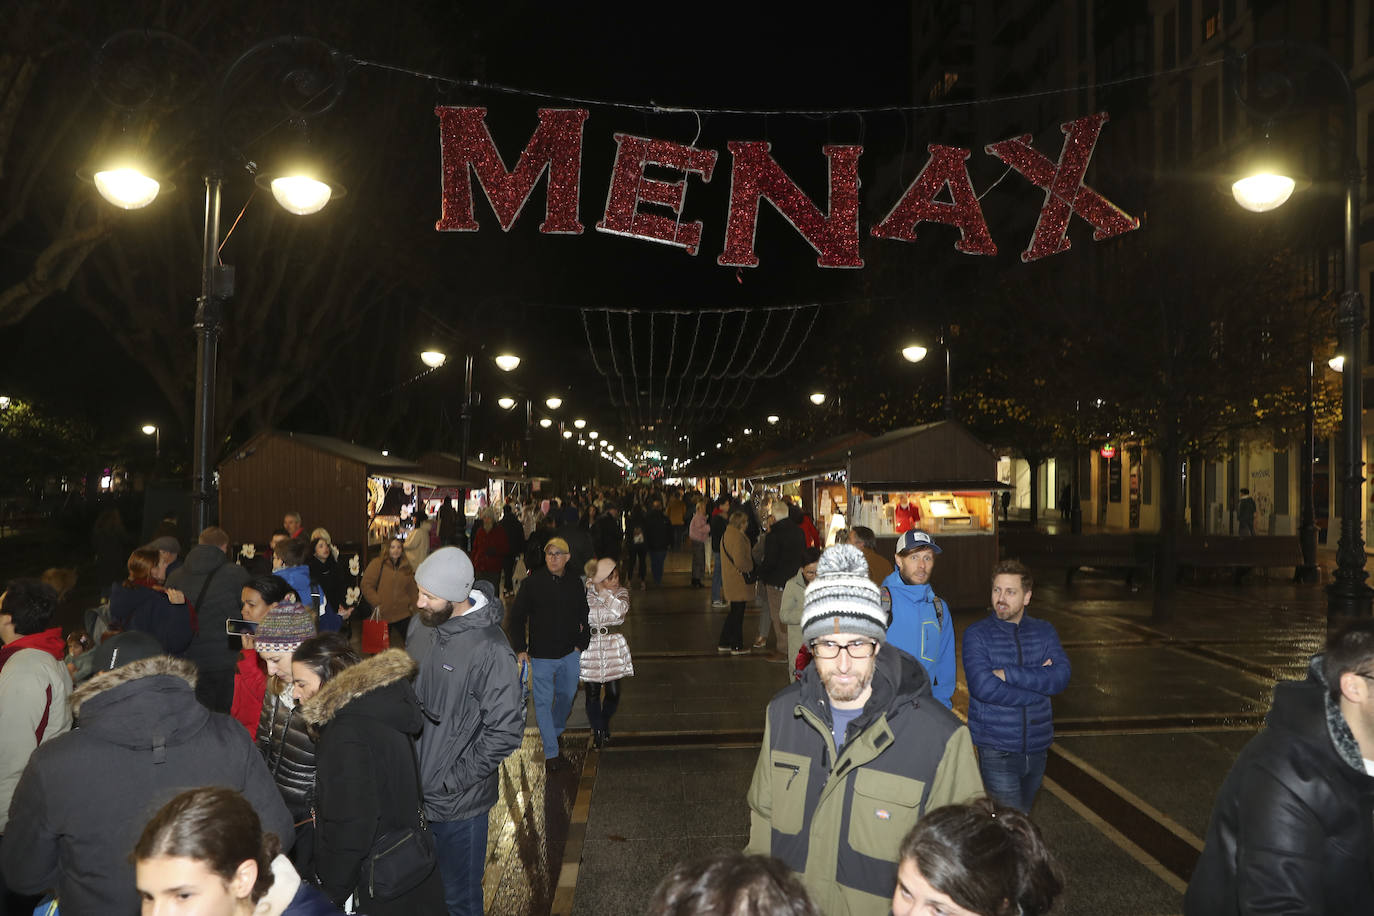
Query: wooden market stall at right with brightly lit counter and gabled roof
x,y
941,479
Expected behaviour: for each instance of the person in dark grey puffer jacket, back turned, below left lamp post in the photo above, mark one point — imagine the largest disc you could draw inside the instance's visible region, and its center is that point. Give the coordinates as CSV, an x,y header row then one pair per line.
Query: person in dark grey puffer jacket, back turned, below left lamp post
x,y
214,587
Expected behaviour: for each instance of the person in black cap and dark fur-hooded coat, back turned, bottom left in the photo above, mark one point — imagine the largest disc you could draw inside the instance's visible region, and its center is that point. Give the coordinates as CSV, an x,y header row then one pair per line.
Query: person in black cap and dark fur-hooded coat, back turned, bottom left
x,y
144,740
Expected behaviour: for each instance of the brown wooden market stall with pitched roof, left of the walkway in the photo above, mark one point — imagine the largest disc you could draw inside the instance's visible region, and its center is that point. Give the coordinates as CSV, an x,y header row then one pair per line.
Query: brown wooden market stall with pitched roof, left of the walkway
x,y
359,495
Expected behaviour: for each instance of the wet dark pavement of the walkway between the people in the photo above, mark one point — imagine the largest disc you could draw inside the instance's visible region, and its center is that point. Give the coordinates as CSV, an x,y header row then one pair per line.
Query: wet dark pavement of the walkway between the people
x,y
1147,731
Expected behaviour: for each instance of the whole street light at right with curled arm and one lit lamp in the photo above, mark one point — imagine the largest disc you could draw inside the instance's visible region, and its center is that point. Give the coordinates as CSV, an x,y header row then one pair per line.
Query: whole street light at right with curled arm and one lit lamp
x,y
1349,597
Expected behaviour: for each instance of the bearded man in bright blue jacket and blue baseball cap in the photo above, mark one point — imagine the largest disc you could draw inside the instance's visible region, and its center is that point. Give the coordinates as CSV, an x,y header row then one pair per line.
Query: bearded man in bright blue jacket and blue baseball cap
x,y
921,623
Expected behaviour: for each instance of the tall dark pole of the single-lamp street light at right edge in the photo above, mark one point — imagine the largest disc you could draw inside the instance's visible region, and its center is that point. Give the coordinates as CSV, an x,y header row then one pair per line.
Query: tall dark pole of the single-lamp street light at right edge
x,y
1349,595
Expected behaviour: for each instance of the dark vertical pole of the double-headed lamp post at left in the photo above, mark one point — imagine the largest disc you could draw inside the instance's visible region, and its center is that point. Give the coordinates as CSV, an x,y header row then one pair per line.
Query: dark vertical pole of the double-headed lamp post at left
x,y
208,317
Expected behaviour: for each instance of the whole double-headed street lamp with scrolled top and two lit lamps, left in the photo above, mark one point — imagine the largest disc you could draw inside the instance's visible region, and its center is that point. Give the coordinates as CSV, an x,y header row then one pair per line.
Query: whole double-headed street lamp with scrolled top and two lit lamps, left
x,y
311,82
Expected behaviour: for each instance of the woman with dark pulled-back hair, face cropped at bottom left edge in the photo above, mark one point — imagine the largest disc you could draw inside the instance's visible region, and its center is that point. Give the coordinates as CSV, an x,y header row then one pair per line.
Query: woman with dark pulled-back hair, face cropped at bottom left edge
x,y
205,852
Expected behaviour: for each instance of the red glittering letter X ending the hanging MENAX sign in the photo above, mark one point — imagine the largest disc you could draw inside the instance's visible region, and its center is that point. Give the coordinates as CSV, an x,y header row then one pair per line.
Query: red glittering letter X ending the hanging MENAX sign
x,y
1064,190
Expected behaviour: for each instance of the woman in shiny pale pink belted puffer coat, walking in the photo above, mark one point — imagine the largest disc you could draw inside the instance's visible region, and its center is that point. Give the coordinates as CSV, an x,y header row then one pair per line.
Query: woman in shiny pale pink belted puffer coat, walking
x,y
607,659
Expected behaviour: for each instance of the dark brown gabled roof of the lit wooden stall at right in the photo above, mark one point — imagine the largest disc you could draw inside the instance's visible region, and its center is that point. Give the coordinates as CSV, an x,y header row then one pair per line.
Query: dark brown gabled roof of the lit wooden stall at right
x,y
936,457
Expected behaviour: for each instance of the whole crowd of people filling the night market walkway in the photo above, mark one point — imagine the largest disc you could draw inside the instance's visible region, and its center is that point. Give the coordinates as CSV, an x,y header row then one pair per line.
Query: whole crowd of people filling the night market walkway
x,y
252,752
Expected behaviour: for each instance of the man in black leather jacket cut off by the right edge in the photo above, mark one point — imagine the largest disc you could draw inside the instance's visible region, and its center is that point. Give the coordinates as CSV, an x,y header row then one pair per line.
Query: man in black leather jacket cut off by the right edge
x,y
1291,829
